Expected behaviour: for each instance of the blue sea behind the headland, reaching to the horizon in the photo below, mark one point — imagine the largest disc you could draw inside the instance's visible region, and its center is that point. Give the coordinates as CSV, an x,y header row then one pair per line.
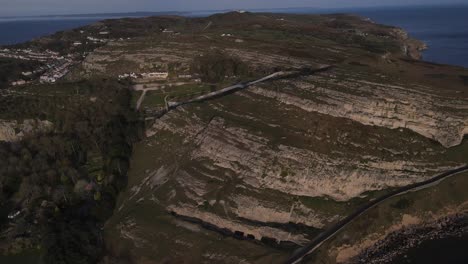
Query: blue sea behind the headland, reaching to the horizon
x,y
443,28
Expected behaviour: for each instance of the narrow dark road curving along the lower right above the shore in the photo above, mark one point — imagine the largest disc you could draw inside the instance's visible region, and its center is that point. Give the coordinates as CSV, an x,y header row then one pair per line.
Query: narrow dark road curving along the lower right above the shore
x,y
327,234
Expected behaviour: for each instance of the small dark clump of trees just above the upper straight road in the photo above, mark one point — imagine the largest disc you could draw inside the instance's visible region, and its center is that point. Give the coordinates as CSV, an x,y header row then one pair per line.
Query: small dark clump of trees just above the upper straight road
x,y
215,66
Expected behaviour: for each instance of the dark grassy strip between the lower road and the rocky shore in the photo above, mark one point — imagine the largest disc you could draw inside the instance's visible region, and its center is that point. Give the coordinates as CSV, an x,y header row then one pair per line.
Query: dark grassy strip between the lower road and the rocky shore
x,y
449,196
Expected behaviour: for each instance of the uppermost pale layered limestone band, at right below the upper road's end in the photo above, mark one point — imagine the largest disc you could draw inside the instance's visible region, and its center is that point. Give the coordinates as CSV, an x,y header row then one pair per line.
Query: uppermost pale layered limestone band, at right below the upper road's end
x,y
444,119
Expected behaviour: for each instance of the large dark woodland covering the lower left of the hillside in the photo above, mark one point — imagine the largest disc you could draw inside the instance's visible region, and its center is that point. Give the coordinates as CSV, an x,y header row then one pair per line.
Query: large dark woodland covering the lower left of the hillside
x,y
47,176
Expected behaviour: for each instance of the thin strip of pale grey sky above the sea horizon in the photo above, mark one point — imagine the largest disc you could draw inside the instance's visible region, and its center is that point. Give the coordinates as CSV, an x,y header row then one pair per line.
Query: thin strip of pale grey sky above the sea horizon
x,y
54,7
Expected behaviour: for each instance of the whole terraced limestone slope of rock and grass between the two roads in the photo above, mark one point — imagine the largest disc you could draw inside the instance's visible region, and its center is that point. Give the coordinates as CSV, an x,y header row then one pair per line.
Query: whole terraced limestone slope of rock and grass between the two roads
x,y
264,162
